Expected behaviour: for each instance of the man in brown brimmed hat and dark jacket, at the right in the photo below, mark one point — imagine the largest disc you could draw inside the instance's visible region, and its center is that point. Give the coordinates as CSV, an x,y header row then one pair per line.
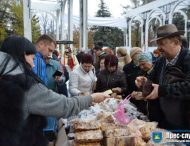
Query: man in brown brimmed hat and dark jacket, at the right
x,y
171,79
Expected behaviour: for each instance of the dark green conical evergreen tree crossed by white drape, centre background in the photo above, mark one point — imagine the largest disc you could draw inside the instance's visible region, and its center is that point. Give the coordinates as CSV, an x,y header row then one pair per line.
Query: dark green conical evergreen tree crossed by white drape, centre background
x,y
109,36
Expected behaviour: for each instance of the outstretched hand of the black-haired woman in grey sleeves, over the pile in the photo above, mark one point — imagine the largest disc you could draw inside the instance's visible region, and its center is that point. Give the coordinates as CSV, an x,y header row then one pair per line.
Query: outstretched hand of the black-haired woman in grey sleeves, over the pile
x,y
99,97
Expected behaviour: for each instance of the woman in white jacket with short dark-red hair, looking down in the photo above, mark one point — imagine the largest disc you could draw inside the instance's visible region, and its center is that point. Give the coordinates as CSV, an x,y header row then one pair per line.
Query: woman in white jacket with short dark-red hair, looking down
x,y
83,78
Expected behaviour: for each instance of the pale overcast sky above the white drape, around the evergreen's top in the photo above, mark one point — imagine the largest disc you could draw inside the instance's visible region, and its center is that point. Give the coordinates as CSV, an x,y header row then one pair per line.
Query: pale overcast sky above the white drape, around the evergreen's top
x,y
114,6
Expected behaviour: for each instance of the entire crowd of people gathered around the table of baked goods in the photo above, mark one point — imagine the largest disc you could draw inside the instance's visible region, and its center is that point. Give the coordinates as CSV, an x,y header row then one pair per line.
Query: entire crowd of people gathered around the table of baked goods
x,y
33,83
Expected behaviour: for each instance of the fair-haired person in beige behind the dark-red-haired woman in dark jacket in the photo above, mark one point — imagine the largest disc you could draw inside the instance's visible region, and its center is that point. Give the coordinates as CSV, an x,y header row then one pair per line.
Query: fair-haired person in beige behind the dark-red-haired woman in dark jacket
x,y
123,58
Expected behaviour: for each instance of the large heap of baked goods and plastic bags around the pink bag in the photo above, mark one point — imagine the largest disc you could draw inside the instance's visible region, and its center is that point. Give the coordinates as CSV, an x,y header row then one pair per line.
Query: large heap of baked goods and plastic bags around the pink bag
x,y
97,126
